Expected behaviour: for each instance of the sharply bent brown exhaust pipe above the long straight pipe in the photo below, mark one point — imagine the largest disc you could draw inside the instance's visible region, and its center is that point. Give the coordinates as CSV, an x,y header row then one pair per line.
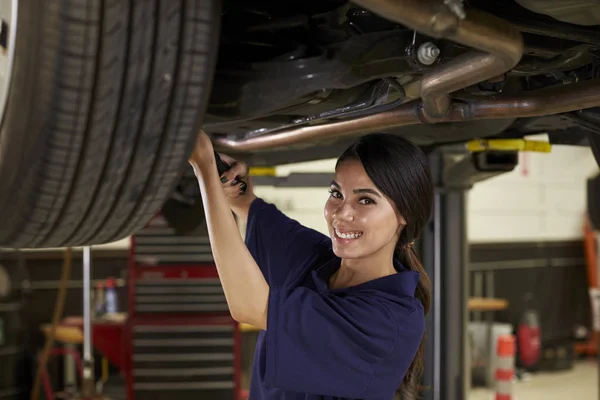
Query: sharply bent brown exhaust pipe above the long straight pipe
x,y
500,45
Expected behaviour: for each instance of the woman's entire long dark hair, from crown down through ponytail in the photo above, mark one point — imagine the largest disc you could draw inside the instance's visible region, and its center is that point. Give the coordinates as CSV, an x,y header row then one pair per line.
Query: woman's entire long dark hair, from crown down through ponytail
x,y
401,171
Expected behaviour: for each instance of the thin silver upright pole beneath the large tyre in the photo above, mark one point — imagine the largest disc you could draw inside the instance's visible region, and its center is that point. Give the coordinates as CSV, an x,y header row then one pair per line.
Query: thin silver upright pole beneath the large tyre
x,y
88,384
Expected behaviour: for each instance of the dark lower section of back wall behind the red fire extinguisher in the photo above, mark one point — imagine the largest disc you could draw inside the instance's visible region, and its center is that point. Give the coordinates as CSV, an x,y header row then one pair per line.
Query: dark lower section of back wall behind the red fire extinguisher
x,y
552,272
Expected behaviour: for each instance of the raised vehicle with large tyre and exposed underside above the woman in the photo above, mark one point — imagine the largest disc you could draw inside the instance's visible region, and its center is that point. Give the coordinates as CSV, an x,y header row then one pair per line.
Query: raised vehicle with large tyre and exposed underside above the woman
x,y
101,100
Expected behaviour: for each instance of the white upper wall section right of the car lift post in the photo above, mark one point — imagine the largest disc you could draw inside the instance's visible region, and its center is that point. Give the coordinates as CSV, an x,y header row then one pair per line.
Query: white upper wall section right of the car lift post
x,y
543,199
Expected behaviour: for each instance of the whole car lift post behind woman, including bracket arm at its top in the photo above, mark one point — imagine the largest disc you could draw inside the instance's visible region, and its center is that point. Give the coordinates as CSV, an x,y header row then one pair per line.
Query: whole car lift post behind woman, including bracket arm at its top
x,y
445,255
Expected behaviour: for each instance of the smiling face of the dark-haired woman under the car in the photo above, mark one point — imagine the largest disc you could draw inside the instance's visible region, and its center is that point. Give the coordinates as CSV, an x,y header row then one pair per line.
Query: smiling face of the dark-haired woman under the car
x,y
362,221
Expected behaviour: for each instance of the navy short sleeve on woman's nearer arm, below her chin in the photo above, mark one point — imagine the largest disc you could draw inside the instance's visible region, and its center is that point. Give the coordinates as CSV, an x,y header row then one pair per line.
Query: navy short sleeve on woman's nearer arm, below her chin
x,y
331,345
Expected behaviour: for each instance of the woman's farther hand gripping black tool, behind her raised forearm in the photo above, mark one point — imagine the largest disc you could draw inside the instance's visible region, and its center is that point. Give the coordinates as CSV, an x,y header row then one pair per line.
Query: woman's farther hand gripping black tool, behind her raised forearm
x,y
237,186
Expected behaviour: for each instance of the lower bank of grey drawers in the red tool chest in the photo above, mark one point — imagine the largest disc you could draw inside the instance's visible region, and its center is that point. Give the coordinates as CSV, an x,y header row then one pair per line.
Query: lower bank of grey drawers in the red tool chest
x,y
183,361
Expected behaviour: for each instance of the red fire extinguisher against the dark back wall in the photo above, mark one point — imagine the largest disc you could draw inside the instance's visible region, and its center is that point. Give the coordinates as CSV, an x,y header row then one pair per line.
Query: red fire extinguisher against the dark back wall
x,y
529,340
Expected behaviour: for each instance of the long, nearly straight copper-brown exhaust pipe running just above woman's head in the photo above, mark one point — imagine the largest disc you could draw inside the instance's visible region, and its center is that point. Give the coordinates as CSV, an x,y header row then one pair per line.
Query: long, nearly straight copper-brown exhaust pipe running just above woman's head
x,y
547,101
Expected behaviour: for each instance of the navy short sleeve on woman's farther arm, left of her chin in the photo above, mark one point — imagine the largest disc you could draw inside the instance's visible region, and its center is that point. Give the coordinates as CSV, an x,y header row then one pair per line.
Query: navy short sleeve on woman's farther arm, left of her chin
x,y
280,245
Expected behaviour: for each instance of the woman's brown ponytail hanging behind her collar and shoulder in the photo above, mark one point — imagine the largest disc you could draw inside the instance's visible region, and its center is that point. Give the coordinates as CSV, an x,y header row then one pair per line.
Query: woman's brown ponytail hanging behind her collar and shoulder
x,y
410,388
